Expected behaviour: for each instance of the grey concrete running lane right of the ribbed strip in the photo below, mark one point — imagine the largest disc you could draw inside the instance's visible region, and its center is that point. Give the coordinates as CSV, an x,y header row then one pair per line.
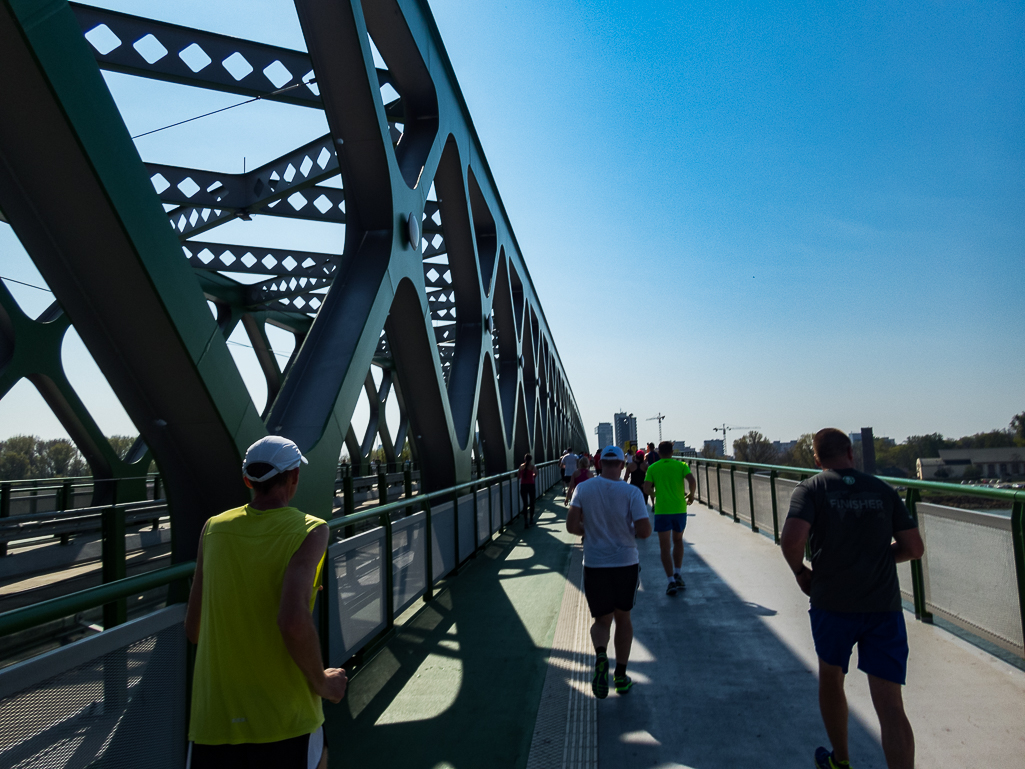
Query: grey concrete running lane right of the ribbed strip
x,y
725,674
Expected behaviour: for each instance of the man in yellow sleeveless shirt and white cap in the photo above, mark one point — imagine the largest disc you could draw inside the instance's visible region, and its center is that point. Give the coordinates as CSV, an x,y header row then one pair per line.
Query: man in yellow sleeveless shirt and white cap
x,y
260,678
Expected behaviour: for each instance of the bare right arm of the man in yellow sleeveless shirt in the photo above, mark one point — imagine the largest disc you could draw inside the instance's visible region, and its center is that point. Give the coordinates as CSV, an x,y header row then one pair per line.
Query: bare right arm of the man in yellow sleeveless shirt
x,y
296,622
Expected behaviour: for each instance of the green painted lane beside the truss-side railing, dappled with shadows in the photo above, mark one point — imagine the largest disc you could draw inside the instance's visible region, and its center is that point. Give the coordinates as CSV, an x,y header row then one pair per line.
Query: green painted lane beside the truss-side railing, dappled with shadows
x,y
459,685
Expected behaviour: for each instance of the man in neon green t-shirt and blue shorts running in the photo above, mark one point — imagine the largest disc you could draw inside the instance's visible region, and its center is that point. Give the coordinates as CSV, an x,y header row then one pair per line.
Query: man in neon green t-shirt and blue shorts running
x,y
666,478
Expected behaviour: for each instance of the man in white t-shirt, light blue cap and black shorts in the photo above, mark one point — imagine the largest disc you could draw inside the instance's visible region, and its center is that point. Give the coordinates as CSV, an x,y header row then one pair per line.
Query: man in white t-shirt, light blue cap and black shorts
x,y
611,516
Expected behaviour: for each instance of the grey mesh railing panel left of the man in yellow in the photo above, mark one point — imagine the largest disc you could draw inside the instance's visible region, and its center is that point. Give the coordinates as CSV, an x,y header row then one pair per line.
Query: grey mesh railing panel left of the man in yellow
x,y
116,700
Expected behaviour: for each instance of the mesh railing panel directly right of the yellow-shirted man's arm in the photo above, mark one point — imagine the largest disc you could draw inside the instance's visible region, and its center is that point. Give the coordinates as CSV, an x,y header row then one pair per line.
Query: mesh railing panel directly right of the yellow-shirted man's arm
x,y
356,590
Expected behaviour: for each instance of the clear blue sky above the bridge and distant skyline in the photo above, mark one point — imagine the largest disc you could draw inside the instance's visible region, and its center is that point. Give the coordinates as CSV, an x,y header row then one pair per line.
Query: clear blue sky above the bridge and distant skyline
x,y
775,215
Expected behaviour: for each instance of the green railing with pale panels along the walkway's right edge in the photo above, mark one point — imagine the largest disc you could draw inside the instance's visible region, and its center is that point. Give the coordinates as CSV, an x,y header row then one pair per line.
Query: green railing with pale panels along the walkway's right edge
x,y
973,574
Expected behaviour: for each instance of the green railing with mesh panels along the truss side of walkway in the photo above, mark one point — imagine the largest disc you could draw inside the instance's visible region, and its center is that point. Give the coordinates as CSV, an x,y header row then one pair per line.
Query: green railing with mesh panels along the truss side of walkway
x,y
121,696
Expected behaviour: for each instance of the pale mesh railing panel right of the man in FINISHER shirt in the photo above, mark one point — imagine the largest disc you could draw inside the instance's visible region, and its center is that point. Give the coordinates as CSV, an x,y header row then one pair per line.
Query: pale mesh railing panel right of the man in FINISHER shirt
x,y
970,573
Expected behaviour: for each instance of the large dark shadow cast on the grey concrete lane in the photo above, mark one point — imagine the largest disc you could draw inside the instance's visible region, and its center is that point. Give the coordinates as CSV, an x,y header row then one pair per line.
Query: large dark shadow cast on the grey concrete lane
x,y
716,689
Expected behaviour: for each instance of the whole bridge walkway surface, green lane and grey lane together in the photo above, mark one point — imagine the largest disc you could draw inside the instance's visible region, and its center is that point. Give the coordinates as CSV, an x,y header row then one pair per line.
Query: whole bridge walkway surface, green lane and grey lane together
x,y
495,672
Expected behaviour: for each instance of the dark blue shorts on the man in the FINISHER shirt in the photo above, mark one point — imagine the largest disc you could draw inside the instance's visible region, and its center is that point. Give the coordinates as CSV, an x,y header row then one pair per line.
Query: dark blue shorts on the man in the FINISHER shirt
x,y
881,636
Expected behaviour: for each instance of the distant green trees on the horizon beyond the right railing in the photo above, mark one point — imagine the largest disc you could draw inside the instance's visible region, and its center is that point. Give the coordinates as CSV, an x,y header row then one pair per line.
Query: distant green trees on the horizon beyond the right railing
x,y
891,459
